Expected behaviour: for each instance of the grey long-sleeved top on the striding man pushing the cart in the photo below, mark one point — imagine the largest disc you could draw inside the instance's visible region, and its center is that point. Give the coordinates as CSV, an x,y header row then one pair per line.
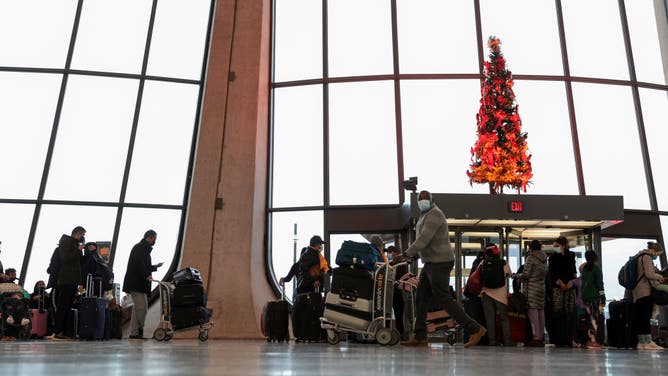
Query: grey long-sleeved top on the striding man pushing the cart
x,y
433,240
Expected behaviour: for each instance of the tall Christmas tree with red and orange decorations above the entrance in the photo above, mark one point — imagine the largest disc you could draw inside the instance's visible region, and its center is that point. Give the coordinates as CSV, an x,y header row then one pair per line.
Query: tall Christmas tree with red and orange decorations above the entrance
x,y
500,156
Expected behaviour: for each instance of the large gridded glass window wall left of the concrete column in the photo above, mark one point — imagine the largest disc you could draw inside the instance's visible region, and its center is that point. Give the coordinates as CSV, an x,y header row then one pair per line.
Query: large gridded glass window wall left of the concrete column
x,y
100,106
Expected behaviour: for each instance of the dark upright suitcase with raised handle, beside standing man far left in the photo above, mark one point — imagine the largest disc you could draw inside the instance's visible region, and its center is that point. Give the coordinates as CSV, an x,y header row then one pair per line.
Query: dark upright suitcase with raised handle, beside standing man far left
x,y
92,313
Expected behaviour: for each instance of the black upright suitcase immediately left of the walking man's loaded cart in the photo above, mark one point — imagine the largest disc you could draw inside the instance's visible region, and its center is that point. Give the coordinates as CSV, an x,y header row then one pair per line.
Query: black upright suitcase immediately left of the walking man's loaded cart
x,y
306,315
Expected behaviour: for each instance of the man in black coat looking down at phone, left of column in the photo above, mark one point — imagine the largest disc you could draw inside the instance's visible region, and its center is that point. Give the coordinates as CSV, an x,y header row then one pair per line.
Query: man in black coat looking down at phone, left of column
x,y
138,280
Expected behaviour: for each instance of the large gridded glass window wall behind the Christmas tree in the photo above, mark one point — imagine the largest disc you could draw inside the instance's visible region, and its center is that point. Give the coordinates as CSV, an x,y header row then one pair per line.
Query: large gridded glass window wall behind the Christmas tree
x,y
398,97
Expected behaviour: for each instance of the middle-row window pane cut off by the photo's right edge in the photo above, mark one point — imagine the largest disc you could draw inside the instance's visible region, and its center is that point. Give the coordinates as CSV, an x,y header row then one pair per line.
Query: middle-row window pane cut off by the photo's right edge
x,y
654,105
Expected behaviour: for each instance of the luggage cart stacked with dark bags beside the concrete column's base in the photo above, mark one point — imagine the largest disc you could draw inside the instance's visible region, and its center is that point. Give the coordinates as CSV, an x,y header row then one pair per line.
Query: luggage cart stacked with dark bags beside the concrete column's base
x,y
183,304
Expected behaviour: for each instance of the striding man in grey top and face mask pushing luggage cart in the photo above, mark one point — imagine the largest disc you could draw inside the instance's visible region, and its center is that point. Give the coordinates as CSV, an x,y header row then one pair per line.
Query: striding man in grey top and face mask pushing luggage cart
x,y
433,245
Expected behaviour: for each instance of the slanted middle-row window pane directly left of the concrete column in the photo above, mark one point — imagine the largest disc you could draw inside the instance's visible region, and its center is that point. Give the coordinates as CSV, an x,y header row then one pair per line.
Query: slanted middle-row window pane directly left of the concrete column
x,y
163,142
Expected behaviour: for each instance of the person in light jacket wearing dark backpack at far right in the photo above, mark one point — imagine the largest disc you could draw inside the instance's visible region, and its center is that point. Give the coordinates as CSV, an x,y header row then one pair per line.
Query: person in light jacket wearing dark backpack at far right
x,y
642,295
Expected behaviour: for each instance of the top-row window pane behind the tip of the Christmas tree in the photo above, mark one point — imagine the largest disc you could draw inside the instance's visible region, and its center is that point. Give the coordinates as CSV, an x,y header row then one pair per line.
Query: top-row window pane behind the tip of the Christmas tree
x,y
509,21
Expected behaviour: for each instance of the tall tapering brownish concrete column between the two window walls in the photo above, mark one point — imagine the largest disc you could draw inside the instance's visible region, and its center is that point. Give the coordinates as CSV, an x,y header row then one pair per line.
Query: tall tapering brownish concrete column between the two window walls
x,y
227,242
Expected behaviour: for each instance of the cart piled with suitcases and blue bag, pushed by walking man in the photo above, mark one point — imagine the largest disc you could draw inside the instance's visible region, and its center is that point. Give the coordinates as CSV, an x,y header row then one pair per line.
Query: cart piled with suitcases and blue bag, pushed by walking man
x,y
360,300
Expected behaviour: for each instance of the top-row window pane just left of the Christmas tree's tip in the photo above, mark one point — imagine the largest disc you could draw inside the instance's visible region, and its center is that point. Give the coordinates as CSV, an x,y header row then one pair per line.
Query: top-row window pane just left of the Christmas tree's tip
x,y
448,25
